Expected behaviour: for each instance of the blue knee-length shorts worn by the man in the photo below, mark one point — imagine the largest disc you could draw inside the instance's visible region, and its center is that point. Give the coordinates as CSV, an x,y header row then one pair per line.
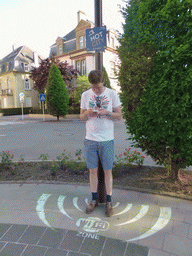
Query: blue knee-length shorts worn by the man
x,y
93,150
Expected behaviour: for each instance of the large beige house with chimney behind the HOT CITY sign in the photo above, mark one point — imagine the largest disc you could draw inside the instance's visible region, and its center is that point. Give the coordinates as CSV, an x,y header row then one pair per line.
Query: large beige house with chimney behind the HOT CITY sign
x,y
72,48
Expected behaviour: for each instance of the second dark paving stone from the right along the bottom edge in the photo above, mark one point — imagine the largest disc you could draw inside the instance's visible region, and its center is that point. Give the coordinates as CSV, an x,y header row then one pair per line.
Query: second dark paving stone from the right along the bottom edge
x,y
114,247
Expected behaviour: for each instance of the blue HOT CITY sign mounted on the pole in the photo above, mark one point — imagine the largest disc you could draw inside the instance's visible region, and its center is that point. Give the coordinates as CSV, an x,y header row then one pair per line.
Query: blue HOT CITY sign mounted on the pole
x,y
96,39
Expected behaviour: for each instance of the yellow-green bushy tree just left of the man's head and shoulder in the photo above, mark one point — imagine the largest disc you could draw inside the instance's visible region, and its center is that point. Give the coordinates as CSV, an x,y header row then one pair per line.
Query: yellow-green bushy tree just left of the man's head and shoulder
x,y
81,84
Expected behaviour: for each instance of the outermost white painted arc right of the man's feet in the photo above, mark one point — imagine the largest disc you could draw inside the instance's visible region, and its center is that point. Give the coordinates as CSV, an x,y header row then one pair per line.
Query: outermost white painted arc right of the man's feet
x,y
162,221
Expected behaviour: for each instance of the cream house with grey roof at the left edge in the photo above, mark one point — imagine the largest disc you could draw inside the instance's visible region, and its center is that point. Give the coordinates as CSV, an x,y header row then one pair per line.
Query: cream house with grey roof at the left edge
x,y
15,78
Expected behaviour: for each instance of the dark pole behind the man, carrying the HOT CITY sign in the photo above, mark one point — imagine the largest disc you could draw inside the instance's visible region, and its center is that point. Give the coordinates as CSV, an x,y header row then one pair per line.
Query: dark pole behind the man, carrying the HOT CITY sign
x,y
99,65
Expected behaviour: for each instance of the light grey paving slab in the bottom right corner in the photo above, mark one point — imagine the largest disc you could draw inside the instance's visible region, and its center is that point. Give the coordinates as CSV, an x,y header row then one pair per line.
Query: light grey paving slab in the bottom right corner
x,y
177,245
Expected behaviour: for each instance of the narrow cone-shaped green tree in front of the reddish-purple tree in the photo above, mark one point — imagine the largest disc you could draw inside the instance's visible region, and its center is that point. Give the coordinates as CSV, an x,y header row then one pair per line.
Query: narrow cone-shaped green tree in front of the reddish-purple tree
x,y
56,93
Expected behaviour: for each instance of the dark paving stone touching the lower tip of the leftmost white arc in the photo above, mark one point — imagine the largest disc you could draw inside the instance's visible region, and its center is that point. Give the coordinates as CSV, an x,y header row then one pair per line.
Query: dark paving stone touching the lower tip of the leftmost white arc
x,y
52,238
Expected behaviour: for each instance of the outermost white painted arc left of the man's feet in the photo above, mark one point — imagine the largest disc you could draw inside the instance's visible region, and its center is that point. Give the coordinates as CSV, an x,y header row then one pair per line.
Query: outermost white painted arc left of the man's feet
x,y
40,208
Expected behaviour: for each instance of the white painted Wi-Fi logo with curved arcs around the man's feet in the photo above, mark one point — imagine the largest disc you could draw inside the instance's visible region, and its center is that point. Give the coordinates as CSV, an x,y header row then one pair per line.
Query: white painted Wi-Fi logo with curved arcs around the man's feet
x,y
120,219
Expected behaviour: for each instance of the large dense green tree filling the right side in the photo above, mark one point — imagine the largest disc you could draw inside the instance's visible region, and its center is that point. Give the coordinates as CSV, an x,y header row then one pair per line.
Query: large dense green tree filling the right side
x,y
160,120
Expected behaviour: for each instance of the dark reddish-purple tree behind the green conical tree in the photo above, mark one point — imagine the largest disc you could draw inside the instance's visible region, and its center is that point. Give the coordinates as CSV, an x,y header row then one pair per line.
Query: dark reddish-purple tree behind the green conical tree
x,y
39,75
